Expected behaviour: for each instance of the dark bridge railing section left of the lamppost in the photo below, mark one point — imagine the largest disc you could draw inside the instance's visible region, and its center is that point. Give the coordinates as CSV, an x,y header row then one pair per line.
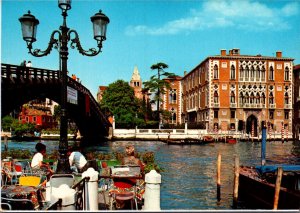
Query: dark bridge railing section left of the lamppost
x,y
13,71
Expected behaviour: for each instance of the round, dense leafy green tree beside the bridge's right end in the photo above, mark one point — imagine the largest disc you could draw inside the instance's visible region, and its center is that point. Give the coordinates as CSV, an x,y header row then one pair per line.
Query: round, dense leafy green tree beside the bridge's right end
x,y
120,101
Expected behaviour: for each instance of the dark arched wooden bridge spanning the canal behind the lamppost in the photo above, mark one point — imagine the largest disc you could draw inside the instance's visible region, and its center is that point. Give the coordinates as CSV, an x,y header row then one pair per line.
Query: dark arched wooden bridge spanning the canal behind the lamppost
x,y
20,84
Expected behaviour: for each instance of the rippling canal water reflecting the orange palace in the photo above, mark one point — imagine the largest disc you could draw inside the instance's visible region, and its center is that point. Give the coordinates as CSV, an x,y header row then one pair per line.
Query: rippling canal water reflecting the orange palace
x,y
189,177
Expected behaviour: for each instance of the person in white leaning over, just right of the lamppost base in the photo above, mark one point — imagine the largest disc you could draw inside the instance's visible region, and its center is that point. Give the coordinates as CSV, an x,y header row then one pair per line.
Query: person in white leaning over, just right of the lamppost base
x,y
78,162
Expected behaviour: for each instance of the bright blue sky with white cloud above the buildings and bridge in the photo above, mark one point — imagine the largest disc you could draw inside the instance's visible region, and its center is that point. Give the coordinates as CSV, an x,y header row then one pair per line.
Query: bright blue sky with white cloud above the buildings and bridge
x,y
179,33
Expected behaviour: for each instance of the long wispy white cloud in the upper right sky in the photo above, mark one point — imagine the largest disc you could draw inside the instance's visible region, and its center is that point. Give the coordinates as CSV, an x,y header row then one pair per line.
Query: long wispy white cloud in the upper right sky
x,y
243,14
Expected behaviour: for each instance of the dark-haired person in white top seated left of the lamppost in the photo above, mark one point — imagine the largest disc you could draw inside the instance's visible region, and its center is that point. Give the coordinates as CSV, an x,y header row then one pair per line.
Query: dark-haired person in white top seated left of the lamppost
x,y
37,164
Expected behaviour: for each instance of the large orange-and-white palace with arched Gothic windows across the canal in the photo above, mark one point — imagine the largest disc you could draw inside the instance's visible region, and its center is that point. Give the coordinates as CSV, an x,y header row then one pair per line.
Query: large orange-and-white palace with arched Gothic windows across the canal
x,y
231,91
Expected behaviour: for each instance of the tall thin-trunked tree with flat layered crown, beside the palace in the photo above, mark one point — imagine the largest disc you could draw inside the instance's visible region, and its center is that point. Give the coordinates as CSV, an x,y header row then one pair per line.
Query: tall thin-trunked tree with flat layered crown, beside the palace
x,y
158,85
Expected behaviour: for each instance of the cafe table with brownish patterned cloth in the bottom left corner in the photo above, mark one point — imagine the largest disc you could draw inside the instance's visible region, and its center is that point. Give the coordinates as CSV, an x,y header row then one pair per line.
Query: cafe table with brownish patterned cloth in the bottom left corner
x,y
22,192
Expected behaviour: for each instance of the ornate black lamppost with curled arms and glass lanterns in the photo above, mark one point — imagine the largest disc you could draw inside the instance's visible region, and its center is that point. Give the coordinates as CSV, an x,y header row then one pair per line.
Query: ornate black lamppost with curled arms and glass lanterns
x,y
64,35
